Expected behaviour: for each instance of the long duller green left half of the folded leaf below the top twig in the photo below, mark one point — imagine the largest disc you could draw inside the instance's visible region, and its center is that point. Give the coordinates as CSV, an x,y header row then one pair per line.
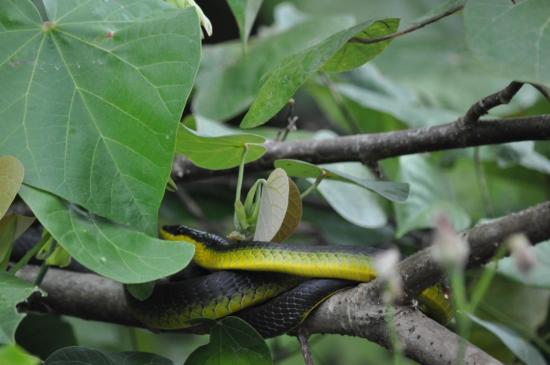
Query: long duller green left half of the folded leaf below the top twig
x,y
281,83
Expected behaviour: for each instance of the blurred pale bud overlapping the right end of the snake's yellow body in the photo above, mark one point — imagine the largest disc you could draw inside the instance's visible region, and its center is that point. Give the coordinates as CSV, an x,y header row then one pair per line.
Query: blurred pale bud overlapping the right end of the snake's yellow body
x,y
385,265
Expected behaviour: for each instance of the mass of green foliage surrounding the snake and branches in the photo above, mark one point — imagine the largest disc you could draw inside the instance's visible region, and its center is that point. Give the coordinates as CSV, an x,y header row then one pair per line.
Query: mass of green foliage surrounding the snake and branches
x,y
92,114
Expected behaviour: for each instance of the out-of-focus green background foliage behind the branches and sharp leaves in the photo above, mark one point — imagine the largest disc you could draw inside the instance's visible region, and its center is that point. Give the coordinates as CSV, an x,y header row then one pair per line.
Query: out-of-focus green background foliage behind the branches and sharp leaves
x,y
421,79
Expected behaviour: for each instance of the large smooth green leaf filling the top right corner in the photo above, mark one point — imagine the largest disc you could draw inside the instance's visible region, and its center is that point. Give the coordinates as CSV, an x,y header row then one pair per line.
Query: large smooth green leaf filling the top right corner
x,y
497,31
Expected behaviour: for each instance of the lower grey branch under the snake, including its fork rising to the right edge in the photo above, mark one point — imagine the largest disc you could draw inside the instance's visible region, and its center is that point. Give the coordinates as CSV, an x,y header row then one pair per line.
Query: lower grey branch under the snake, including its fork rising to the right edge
x,y
356,312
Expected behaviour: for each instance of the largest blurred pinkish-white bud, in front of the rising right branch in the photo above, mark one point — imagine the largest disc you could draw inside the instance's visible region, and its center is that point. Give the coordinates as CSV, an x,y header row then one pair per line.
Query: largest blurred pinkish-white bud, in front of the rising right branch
x,y
448,248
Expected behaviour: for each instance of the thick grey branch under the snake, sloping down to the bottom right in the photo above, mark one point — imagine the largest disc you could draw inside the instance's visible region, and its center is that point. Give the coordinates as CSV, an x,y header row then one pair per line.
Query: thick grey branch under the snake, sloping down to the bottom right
x,y
356,312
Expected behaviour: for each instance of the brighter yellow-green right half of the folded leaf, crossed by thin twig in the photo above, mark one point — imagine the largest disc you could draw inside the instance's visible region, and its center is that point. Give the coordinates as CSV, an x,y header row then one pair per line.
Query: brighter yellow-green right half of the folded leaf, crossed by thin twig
x,y
354,54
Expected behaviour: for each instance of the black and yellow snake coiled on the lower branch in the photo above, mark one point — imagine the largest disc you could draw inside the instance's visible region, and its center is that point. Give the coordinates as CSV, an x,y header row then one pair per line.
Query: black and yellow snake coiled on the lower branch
x,y
273,286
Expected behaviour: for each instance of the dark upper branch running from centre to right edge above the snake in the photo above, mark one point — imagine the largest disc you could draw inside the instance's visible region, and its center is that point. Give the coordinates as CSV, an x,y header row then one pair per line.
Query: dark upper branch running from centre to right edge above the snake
x,y
377,146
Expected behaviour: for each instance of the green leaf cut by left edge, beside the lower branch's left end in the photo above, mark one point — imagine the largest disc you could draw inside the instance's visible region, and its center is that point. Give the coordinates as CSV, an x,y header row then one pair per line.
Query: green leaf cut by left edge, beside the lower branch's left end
x,y
12,292
